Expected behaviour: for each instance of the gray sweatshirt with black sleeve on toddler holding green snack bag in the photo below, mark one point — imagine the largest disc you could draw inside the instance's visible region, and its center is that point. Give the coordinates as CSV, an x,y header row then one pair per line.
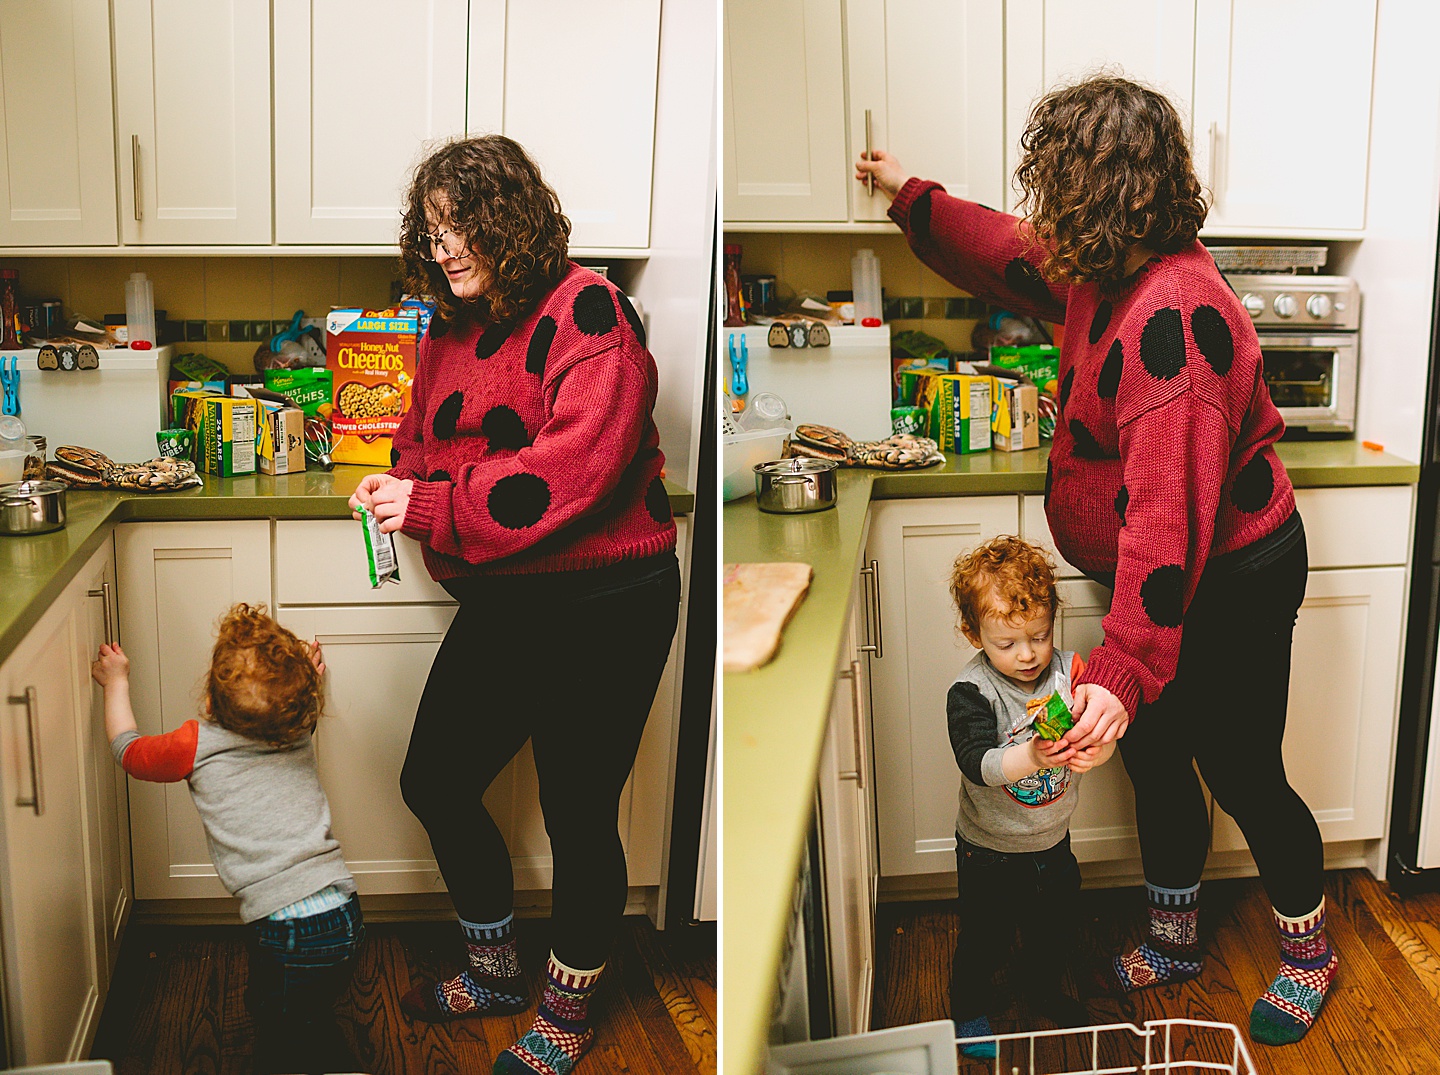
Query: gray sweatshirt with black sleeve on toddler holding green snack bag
x,y
984,709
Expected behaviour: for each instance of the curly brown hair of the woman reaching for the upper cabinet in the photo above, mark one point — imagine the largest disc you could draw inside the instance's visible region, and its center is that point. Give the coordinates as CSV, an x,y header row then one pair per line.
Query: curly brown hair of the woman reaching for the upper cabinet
x,y
1107,168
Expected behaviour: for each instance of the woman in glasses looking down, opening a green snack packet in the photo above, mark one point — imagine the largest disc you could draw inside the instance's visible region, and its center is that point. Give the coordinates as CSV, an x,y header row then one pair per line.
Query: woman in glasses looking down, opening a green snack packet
x,y
529,471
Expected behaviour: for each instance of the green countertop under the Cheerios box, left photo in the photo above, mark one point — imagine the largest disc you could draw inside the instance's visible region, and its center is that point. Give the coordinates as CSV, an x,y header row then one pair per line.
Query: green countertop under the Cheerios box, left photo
x,y
34,571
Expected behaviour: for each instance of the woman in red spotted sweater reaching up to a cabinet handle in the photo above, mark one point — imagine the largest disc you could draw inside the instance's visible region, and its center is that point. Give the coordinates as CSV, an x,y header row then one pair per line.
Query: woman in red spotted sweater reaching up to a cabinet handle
x,y
1164,484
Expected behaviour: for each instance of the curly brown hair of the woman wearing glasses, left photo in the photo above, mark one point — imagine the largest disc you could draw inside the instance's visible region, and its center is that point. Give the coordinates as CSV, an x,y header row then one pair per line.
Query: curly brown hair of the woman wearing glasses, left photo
x,y
490,194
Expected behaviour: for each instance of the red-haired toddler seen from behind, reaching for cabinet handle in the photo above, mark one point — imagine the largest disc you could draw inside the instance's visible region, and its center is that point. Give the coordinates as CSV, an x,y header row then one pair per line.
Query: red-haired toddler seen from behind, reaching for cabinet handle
x,y
253,776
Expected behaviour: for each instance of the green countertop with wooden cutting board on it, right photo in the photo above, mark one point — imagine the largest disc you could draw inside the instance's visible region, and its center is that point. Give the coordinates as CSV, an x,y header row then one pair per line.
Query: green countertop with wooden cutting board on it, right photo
x,y
775,716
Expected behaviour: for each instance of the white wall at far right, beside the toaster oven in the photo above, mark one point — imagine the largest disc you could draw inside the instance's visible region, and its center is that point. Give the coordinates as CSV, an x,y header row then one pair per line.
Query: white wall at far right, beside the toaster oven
x,y
1396,263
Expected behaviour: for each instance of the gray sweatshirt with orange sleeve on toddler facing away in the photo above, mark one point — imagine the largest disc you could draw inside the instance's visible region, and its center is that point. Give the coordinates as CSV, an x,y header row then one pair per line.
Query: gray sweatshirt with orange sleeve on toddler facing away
x,y
266,815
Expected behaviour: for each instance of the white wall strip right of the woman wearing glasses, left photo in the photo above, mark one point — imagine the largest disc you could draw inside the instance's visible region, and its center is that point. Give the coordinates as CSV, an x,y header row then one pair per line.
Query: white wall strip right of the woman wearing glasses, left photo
x,y
675,284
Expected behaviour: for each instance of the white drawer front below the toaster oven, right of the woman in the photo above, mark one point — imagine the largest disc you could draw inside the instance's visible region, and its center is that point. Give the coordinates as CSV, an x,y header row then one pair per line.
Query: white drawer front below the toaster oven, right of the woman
x,y
1357,527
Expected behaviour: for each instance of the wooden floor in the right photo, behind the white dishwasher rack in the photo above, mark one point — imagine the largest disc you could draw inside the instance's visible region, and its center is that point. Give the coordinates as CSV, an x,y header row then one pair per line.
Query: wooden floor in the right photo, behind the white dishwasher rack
x,y
1383,1014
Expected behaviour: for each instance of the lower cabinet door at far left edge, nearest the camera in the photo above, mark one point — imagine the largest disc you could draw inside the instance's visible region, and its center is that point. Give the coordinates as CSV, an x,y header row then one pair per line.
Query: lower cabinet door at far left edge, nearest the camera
x,y
53,976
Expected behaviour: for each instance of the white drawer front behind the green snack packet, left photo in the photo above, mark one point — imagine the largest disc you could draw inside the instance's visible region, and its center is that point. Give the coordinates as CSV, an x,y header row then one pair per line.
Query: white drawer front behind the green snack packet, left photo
x,y
322,562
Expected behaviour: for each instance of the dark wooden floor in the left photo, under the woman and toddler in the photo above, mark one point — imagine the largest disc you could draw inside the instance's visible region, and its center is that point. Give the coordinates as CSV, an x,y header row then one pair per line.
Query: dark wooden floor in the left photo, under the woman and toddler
x,y
178,1004
